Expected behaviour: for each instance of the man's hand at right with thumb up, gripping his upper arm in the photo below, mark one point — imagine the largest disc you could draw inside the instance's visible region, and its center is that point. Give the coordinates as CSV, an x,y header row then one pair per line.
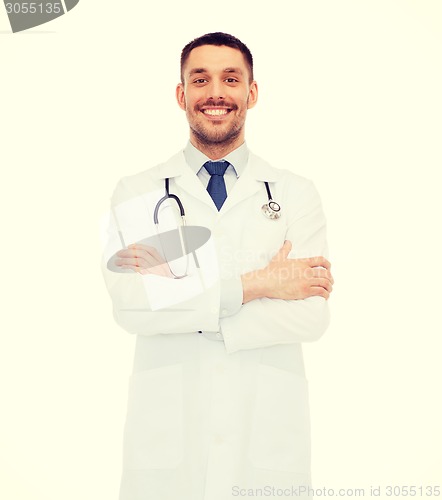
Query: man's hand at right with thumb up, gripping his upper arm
x,y
289,279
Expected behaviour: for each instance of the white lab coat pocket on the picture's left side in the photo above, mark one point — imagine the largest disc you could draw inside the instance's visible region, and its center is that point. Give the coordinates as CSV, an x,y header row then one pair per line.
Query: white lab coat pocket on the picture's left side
x,y
153,437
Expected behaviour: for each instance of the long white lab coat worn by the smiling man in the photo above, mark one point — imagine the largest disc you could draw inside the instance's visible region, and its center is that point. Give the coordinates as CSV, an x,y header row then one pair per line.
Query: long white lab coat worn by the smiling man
x,y
210,419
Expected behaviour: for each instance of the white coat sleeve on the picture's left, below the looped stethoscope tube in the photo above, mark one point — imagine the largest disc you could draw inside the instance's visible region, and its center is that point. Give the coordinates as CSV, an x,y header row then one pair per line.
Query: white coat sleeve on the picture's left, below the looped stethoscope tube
x,y
150,304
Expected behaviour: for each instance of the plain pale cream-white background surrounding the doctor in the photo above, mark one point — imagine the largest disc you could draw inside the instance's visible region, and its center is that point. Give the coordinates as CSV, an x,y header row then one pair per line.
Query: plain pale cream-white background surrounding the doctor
x,y
350,96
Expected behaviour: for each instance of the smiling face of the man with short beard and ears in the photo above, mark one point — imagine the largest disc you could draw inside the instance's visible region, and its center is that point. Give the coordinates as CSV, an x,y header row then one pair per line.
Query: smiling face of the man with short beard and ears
x,y
216,94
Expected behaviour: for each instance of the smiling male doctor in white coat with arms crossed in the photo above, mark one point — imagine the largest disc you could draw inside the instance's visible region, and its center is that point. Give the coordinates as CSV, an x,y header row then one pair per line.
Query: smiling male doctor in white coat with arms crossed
x,y
218,402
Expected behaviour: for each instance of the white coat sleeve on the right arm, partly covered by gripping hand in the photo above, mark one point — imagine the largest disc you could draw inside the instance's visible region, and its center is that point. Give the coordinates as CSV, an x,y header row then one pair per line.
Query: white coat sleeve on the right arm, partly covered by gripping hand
x,y
266,322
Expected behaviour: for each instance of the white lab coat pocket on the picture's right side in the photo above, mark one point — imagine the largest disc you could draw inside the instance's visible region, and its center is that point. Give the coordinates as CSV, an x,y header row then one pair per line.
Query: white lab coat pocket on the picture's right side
x,y
280,433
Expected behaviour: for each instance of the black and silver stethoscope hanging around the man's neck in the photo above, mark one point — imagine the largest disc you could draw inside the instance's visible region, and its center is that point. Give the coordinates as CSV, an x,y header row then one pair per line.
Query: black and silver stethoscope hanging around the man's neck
x,y
271,210
